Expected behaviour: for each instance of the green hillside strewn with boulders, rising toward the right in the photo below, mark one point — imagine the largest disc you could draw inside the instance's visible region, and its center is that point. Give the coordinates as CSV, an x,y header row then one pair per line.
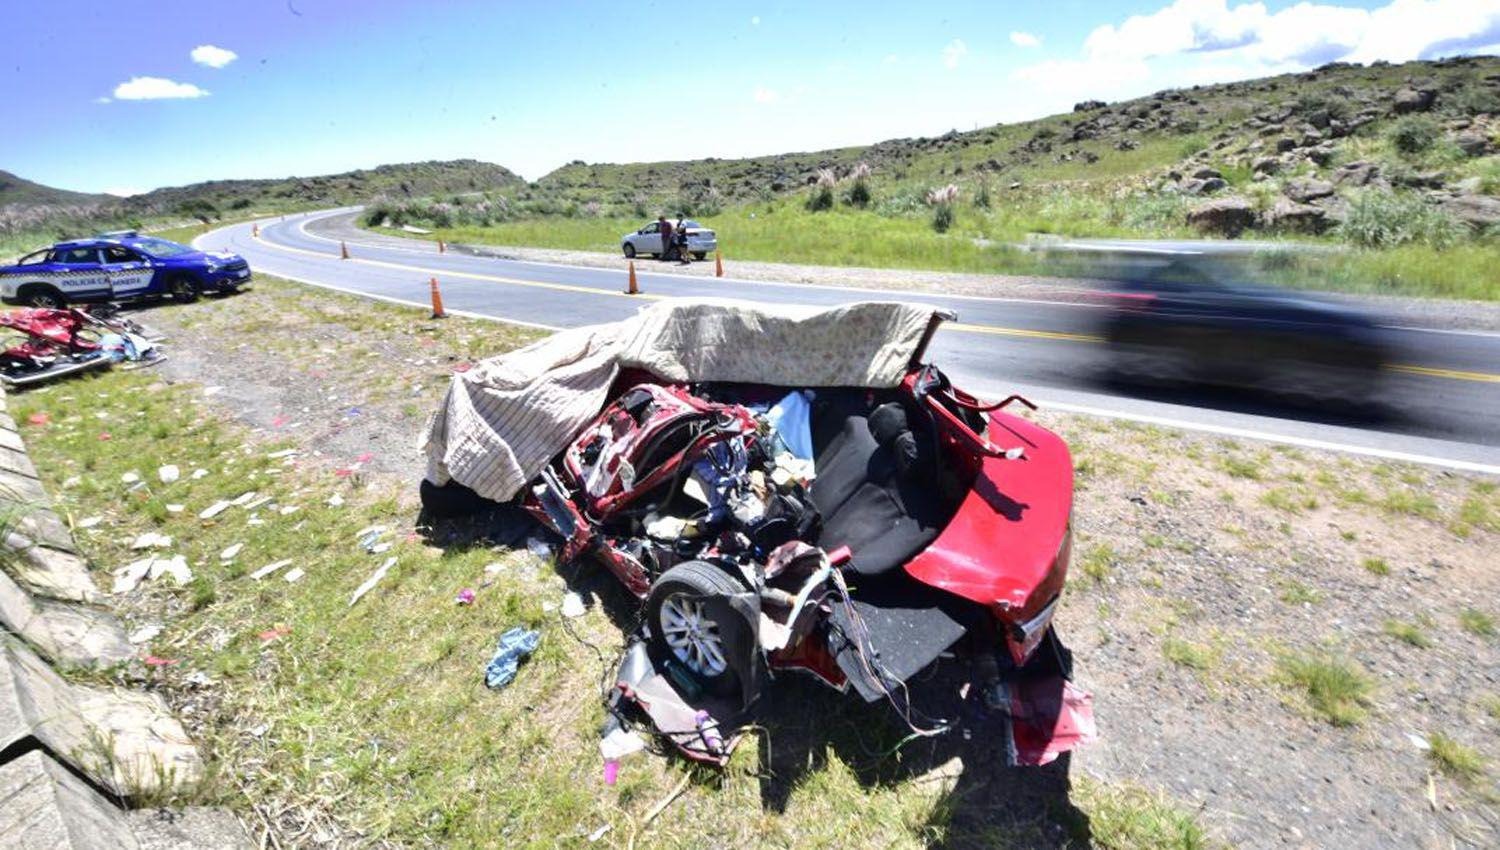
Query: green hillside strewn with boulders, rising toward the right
x,y
1318,136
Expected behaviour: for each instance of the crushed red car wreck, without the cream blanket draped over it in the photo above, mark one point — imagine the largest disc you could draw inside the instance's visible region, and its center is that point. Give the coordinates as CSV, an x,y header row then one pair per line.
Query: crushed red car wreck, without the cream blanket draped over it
x,y
856,534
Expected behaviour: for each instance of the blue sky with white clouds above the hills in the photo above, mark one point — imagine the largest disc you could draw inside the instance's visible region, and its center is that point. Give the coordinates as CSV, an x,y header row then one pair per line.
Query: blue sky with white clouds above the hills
x,y
127,101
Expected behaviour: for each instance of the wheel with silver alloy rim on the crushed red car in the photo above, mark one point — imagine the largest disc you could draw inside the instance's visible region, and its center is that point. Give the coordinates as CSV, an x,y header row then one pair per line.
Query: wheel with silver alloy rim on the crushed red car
x,y
679,591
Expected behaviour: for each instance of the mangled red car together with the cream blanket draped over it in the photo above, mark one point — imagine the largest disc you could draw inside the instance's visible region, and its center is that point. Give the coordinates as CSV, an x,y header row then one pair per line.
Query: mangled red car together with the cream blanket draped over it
x,y
787,491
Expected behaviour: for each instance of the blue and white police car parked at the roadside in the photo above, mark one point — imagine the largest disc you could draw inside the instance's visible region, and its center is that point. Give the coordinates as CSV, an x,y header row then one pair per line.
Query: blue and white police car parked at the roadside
x,y
116,266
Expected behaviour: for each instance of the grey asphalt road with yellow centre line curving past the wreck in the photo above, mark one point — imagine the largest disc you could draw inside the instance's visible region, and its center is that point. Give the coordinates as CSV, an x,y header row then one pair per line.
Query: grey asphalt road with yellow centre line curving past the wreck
x,y
1441,406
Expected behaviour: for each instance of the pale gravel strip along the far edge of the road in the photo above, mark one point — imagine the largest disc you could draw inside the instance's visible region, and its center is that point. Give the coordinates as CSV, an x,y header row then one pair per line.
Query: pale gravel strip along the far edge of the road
x,y
1417,313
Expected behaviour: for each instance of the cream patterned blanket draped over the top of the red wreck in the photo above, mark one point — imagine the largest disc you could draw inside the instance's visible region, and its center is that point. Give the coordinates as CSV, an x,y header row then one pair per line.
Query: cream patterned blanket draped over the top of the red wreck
x,y
503,421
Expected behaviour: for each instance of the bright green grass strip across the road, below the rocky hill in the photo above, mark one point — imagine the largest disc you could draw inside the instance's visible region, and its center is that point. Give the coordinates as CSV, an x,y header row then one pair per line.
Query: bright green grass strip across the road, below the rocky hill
x,y
983,244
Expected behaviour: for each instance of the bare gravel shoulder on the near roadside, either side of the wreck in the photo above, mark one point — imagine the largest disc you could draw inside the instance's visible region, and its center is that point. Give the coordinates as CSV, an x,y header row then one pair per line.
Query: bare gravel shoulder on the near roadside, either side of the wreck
x,y
1204,570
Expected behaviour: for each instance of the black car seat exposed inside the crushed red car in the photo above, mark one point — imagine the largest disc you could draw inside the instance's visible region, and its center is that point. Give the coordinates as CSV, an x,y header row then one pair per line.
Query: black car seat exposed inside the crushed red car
x,y
875,485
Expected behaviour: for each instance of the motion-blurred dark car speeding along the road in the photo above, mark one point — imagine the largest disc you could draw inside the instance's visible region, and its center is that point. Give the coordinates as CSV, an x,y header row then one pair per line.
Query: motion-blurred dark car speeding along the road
x,y
1192,320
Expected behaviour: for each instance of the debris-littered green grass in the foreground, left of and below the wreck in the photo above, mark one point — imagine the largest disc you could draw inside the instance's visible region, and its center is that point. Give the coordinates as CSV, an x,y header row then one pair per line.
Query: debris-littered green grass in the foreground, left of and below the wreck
x,y
326,719
